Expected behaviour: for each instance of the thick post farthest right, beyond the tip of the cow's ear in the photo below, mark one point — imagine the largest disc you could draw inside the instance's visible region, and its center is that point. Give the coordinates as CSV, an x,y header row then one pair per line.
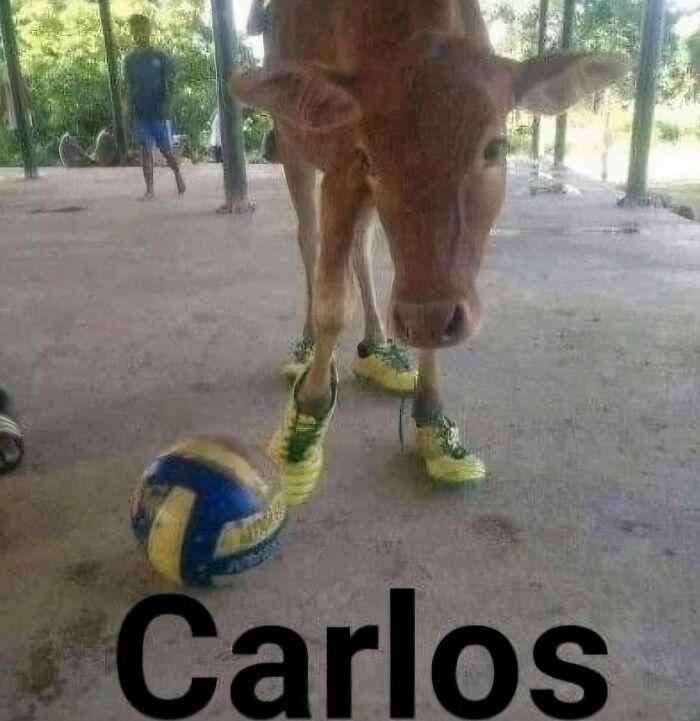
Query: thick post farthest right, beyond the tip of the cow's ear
x,y
645,99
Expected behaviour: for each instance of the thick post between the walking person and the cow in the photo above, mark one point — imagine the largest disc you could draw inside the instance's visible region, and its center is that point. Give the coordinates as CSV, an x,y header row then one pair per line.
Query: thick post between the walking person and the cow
x,y
230,120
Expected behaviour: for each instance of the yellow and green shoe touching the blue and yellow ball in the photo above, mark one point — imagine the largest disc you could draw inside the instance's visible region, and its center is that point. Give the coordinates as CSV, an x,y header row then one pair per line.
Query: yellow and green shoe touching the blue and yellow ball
x,y
296,447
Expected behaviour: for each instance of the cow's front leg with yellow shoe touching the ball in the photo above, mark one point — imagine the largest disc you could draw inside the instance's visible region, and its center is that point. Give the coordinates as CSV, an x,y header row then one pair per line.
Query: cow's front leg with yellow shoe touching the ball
x,y
297,445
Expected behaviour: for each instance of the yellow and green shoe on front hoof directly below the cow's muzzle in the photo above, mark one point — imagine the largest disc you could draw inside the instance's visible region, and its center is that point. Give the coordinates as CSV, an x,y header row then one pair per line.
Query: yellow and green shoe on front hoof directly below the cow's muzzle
x,y
446,459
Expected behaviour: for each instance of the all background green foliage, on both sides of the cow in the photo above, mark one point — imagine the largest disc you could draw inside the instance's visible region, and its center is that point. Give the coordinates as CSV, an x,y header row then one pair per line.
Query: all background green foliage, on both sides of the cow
x,y
62,54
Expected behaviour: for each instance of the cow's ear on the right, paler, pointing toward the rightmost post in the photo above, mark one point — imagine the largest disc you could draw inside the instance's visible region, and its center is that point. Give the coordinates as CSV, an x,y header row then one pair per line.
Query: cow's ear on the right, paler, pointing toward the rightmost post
x,y
550,85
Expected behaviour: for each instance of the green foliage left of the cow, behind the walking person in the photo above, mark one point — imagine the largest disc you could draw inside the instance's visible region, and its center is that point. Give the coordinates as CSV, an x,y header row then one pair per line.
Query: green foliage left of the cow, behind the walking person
x,y
63,59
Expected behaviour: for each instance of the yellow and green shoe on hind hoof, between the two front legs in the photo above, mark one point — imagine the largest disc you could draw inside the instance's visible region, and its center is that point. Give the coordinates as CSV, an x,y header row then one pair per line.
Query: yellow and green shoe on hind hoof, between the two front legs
x,y
386,365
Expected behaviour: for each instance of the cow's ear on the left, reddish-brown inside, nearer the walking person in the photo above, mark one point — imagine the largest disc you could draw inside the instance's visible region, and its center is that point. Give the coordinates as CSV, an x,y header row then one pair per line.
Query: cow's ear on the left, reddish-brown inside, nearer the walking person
x,y
310,96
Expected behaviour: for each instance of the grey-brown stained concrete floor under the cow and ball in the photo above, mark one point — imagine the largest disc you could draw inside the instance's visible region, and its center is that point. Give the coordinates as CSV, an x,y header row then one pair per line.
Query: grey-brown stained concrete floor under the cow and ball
x,y
126,325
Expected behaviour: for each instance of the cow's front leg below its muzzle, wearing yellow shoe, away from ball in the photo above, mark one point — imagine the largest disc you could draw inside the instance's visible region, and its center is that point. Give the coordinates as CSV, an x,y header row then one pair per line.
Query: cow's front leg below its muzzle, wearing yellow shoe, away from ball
x,y
447,459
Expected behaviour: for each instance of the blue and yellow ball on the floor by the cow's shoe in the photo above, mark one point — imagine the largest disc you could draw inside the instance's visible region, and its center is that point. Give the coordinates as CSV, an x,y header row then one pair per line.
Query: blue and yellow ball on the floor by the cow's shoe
x,y
203,513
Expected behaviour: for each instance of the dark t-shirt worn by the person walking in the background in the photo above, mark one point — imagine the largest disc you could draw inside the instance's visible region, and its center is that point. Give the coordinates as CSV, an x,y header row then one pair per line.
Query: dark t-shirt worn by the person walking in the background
x,y
147,71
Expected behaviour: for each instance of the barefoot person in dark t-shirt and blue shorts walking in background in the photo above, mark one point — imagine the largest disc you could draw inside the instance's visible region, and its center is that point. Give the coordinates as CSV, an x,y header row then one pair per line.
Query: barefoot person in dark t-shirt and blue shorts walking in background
x,y
148,76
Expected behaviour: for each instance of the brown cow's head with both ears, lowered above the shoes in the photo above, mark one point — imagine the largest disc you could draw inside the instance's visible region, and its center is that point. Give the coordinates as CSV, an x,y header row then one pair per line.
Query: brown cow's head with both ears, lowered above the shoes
x,y
428,129
